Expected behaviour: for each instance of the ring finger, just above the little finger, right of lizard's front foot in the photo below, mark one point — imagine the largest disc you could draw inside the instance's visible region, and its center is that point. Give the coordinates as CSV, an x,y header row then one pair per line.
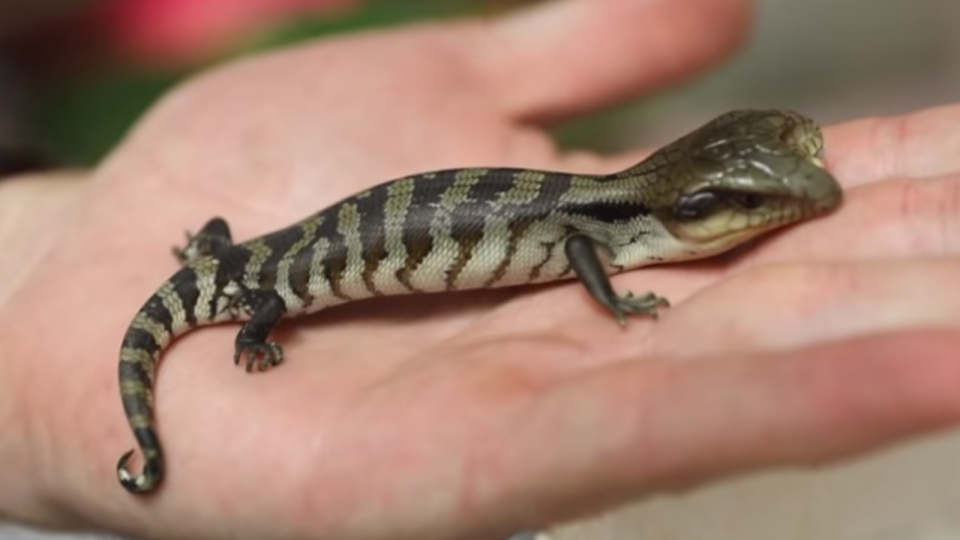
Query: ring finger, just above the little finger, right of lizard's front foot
x,y
780,307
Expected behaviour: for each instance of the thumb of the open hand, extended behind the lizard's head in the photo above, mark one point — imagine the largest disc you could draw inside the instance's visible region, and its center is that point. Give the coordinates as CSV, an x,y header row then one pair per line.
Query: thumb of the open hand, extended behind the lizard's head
x,y
569,56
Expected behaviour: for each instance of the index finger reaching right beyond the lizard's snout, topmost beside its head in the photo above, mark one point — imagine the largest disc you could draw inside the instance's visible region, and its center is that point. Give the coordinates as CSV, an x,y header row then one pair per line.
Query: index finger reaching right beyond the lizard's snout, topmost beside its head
x,y
919,144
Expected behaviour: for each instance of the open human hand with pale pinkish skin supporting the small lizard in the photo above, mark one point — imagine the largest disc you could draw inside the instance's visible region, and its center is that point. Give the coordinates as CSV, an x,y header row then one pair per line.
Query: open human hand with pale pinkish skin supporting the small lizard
x,y
477,414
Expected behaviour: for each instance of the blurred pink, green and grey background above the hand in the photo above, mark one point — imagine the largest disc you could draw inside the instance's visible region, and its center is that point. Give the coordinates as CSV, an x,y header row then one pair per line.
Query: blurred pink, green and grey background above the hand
x,y
74,75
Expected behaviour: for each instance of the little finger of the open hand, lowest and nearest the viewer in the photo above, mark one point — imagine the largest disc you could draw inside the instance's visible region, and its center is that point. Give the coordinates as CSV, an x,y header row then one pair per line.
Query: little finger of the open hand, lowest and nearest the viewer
x,y
638,428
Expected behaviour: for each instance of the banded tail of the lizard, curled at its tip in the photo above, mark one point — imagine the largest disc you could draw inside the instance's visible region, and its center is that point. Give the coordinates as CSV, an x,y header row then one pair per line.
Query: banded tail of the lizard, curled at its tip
x,y
164,316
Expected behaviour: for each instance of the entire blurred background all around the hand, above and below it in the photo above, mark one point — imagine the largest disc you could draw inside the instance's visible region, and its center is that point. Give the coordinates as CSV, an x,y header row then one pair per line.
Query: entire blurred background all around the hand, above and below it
x,y
76,74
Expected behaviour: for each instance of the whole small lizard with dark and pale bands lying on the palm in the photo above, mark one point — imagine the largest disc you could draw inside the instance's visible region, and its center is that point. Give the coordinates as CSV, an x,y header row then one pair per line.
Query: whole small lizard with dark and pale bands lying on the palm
x,y
742,174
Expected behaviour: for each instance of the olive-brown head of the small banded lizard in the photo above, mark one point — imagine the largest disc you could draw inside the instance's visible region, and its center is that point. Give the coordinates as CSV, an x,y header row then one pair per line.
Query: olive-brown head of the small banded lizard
x,y
743,174
